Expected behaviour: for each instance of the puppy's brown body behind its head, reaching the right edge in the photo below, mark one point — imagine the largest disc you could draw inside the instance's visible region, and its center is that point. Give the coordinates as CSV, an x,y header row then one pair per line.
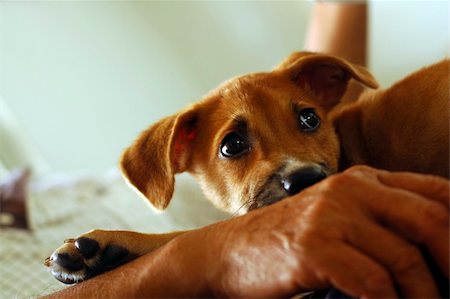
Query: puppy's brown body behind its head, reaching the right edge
x,y
402,128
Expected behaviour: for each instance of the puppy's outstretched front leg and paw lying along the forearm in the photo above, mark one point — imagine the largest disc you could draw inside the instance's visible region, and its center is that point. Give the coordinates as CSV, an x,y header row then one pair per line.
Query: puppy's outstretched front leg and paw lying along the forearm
x,y
98,251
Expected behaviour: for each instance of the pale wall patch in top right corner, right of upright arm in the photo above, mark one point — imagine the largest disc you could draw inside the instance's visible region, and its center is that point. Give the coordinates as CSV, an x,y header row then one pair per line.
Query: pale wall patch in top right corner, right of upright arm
x,y
407,35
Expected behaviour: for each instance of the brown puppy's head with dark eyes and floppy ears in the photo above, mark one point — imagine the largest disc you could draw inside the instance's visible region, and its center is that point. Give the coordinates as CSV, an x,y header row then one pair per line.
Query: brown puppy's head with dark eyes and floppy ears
x,y
253,140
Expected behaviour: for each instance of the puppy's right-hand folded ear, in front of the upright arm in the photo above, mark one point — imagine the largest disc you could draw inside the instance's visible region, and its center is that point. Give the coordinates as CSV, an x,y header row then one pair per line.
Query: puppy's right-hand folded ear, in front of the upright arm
x,y
325,76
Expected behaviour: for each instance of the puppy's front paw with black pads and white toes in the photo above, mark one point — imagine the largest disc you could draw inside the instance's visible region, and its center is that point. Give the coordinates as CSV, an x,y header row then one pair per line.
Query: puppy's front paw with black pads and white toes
x,y
86,256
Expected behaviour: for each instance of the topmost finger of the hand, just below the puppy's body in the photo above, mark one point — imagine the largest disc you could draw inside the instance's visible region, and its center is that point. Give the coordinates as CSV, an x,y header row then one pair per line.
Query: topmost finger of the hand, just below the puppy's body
x,y
428,186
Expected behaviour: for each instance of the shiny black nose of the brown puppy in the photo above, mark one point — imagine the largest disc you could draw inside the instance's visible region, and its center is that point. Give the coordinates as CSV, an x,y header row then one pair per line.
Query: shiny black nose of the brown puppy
x,y
302,178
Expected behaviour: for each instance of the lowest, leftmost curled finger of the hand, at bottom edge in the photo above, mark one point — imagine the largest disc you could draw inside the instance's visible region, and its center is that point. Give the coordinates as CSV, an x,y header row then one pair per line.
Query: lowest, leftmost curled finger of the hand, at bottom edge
x,y
354,273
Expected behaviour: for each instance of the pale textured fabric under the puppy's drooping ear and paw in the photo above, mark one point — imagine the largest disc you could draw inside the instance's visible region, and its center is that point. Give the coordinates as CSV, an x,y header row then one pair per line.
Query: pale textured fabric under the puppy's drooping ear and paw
x,y
64,207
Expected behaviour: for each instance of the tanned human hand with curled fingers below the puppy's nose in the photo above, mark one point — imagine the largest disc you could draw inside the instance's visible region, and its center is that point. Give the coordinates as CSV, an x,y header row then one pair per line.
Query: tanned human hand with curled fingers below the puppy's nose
x,y
356,231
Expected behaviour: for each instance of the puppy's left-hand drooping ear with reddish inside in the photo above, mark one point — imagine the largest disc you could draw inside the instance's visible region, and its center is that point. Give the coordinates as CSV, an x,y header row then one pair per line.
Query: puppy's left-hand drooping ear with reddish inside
x,y
164,149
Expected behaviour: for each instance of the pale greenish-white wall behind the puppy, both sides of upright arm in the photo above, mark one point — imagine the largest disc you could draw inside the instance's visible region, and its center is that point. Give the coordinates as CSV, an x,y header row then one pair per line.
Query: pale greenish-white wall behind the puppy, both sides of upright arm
x,y
84,78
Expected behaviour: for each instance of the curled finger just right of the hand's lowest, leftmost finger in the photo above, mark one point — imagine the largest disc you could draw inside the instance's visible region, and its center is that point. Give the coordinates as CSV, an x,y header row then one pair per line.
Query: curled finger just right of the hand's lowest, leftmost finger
x,y
404,260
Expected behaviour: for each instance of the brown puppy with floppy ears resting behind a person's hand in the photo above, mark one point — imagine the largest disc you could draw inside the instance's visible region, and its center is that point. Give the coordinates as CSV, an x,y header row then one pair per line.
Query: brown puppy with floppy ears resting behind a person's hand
x,y
262,137
